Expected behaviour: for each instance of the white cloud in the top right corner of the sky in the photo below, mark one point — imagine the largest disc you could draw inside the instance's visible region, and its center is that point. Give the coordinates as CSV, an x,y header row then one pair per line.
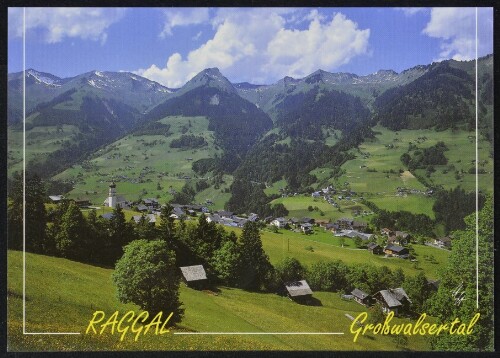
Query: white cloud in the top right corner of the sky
x,y
456,27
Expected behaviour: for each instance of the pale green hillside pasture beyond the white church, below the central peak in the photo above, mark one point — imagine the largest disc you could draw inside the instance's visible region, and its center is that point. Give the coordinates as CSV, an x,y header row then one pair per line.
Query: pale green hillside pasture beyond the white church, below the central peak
x,y
146,166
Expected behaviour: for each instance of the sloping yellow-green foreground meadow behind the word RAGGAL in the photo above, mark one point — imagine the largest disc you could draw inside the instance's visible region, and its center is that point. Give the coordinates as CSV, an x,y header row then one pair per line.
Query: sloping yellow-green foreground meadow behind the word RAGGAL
x,y
71,292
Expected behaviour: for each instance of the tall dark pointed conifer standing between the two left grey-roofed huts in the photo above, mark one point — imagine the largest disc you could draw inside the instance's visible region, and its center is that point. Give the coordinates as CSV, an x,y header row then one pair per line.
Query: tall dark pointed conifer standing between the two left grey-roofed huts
x,y
255,265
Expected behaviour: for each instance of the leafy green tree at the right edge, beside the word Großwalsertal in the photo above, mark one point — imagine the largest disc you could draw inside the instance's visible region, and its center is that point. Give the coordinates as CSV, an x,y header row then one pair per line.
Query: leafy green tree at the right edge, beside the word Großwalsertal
x,y
456,296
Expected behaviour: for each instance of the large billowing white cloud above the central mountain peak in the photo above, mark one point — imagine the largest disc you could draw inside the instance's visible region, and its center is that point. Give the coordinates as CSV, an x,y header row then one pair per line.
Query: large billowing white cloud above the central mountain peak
x,y
263,45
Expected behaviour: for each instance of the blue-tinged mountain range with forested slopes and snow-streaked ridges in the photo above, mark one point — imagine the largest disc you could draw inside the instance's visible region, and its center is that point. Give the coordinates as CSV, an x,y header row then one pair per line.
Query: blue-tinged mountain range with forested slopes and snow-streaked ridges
x,y
292,118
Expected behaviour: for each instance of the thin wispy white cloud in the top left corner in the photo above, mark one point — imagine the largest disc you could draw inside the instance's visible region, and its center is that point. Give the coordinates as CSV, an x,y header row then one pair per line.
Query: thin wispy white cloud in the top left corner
x,y
55,24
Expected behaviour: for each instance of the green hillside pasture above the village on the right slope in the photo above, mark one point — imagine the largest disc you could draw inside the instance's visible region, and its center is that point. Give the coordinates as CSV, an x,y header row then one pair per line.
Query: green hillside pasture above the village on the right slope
x,y
377,171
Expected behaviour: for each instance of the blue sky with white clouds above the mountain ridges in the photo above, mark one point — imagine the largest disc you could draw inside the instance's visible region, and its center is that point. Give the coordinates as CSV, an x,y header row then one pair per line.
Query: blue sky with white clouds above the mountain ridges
x,y
256,45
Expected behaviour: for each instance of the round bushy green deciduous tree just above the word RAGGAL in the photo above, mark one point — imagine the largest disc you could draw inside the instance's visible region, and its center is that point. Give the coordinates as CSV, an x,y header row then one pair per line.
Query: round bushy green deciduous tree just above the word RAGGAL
x,y
147,276
